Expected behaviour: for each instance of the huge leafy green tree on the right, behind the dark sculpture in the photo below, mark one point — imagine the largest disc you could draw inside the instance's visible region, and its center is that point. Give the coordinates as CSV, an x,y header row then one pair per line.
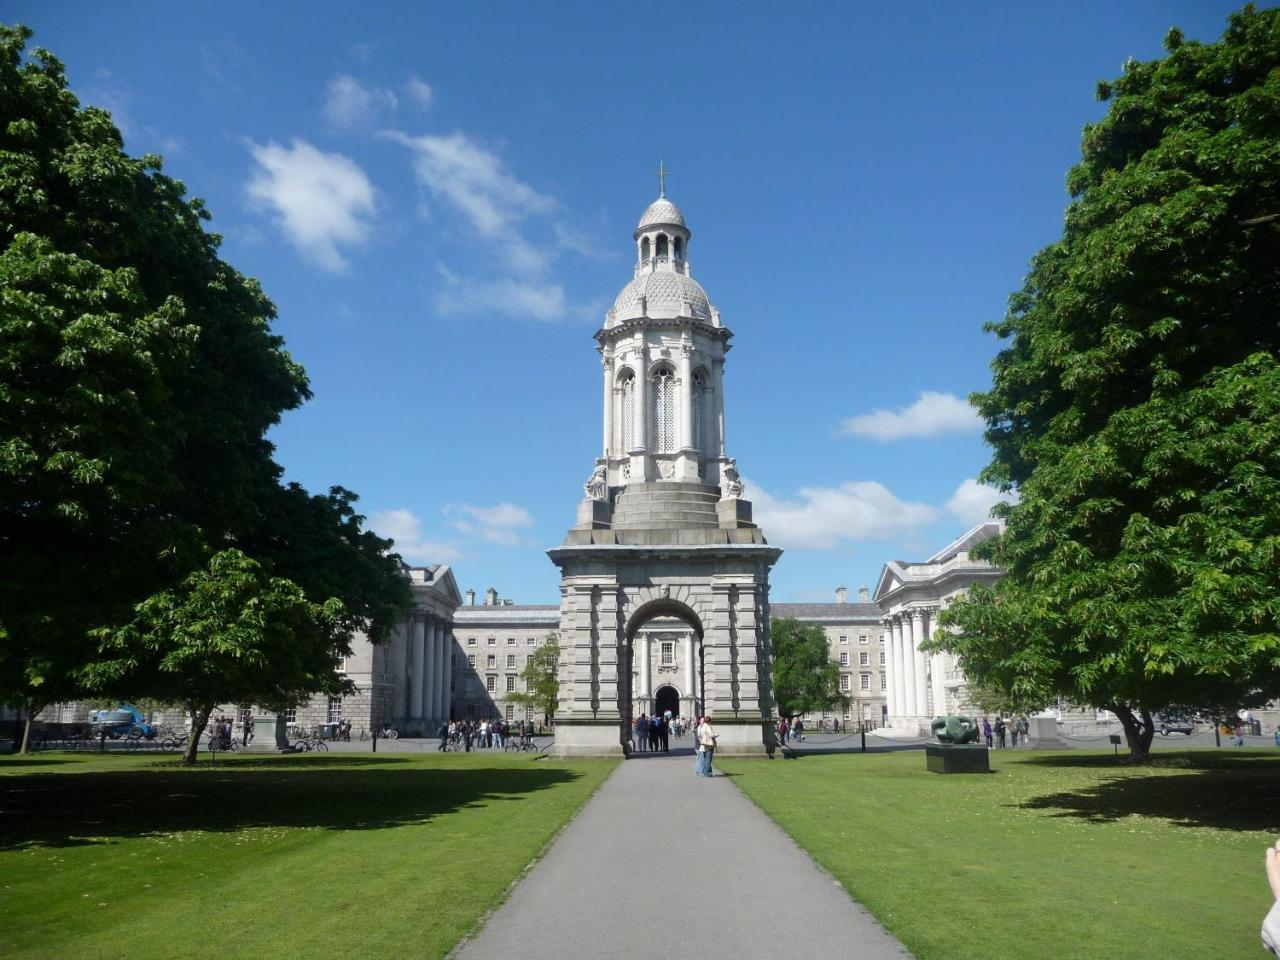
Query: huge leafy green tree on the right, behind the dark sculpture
x,y
1137,406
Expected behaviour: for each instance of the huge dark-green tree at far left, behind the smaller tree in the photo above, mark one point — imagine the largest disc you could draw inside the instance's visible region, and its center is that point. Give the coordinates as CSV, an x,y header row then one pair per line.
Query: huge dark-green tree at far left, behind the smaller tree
x,y
139,377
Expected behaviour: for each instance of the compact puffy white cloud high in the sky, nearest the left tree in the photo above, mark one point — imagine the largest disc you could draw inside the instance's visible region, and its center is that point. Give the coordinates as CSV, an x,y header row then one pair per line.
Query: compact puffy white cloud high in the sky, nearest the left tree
x,y
322,202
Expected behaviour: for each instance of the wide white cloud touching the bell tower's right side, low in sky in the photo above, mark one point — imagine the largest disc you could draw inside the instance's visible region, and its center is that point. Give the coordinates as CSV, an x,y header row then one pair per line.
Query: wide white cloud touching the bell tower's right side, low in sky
x,y
826,516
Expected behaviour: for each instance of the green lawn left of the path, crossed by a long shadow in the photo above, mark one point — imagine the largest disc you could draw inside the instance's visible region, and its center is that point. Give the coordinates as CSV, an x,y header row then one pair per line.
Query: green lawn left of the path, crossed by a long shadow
x,y
333,856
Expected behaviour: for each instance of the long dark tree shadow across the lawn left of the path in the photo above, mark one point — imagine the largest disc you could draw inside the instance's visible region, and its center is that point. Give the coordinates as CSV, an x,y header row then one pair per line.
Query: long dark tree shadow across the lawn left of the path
x,y
76,810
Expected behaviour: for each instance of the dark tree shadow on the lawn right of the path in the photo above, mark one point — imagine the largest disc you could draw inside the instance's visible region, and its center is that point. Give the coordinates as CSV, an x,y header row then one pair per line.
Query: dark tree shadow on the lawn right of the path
x,y
1217,790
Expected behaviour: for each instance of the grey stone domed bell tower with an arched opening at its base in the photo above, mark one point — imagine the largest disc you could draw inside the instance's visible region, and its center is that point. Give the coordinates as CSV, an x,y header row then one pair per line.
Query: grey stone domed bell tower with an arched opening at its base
x,y
664,531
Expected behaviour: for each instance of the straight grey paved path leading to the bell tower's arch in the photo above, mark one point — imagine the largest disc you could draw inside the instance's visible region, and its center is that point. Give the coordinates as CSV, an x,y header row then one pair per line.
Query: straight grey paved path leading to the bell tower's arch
x,y
665,865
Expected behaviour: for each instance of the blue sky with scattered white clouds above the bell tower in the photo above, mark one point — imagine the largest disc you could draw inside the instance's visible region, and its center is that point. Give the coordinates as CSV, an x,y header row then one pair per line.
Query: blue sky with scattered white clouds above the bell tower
x,y
440,199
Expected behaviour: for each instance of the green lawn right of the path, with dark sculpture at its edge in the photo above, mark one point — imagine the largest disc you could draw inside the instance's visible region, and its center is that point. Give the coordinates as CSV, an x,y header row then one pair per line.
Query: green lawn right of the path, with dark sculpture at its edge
x,y
1053,857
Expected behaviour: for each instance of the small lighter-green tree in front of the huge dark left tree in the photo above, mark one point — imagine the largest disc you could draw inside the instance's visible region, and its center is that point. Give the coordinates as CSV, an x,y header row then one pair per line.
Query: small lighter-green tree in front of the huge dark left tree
x,y
228,634
